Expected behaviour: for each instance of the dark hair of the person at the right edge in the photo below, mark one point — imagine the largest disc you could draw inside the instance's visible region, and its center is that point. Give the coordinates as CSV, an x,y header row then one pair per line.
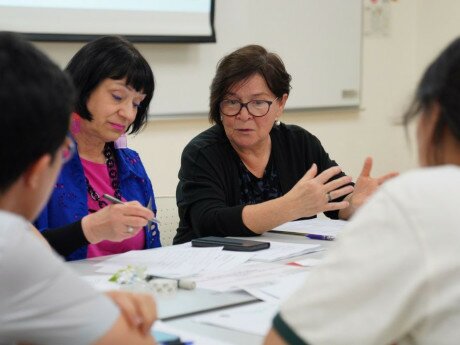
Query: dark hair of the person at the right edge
x,y
440,85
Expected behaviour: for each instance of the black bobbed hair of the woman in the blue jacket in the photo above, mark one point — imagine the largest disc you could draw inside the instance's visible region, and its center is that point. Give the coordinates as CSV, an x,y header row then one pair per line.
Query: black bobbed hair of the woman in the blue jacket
x,y
115,58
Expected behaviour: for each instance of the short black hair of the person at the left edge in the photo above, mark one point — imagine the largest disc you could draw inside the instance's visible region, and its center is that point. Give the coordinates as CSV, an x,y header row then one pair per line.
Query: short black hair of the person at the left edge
x,y
36,100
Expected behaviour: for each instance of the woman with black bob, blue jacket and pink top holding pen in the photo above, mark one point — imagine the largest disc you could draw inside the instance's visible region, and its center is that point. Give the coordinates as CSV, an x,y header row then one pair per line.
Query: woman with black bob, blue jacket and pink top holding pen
x,y
115,85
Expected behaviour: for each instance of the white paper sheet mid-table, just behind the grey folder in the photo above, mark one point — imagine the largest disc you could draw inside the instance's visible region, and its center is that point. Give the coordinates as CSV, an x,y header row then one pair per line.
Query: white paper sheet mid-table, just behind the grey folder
x,y
247,275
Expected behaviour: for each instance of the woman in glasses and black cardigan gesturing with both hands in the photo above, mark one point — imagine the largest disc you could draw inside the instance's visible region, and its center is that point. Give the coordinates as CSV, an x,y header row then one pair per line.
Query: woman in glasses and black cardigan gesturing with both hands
x,y
250,173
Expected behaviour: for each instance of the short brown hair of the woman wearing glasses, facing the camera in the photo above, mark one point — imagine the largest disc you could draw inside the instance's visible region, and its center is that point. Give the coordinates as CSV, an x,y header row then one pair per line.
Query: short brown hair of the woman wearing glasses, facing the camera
x,y
239,66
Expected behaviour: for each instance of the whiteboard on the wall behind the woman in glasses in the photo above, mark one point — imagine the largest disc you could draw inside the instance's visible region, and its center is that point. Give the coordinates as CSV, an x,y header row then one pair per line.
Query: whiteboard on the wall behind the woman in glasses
x,y
318,40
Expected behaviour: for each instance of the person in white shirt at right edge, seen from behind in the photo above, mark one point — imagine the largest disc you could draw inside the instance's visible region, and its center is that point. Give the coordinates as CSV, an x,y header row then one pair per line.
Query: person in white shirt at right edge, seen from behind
x,y
394,274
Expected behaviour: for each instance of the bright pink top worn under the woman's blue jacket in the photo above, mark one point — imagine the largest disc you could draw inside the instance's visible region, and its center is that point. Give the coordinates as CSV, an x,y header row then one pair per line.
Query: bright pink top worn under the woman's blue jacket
x,y
98,177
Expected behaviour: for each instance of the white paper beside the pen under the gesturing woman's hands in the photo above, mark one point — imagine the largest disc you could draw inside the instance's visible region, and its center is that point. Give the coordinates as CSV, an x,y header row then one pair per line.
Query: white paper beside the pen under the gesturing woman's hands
x,y
317,226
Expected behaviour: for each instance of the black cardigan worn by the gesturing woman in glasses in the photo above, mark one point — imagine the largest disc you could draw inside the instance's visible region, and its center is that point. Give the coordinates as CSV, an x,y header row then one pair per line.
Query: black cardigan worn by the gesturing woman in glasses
x,y
208,192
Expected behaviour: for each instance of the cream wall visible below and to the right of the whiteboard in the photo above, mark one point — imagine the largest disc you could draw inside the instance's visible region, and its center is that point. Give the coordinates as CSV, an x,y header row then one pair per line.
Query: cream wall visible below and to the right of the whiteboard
x,y
391,68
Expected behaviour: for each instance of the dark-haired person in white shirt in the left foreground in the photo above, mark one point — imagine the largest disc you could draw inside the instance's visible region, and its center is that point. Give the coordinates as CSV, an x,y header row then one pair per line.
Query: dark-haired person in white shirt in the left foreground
x,y
42,301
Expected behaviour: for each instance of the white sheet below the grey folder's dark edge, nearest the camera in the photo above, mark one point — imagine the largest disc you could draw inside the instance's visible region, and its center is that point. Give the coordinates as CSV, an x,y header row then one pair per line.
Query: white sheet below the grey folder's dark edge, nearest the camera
x,y
254,318
